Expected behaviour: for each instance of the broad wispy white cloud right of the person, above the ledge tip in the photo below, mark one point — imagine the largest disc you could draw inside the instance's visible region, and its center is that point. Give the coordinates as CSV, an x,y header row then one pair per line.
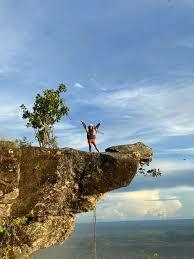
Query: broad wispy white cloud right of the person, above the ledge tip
x,y
151,111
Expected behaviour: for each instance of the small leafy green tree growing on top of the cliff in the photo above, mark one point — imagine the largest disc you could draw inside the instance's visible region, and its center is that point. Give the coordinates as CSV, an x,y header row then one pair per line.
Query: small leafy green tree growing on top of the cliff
x,y
48,109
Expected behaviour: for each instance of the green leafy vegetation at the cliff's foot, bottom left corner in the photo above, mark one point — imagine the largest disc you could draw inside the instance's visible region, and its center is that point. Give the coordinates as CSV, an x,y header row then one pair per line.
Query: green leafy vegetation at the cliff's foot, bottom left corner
x,y
8,235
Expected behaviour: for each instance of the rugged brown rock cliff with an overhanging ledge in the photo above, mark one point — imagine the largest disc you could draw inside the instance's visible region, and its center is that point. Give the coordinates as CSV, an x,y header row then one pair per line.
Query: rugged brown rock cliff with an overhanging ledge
x,y
50,186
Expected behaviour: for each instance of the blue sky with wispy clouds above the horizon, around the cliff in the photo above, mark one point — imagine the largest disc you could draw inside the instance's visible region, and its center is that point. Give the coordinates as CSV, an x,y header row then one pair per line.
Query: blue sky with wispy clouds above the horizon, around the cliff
x,y
127,64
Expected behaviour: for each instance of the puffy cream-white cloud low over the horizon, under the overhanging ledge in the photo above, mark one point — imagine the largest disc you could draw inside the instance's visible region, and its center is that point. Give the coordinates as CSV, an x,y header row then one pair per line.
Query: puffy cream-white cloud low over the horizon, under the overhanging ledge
x,y
142,204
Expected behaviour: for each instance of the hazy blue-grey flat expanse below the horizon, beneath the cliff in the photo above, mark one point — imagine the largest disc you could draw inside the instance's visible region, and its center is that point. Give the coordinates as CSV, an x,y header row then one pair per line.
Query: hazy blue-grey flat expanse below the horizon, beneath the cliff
x,y
167,239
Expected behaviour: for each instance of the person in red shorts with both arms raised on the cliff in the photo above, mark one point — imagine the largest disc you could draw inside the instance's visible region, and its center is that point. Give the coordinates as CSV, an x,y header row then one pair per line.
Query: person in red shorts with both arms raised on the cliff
x,y
91,131
